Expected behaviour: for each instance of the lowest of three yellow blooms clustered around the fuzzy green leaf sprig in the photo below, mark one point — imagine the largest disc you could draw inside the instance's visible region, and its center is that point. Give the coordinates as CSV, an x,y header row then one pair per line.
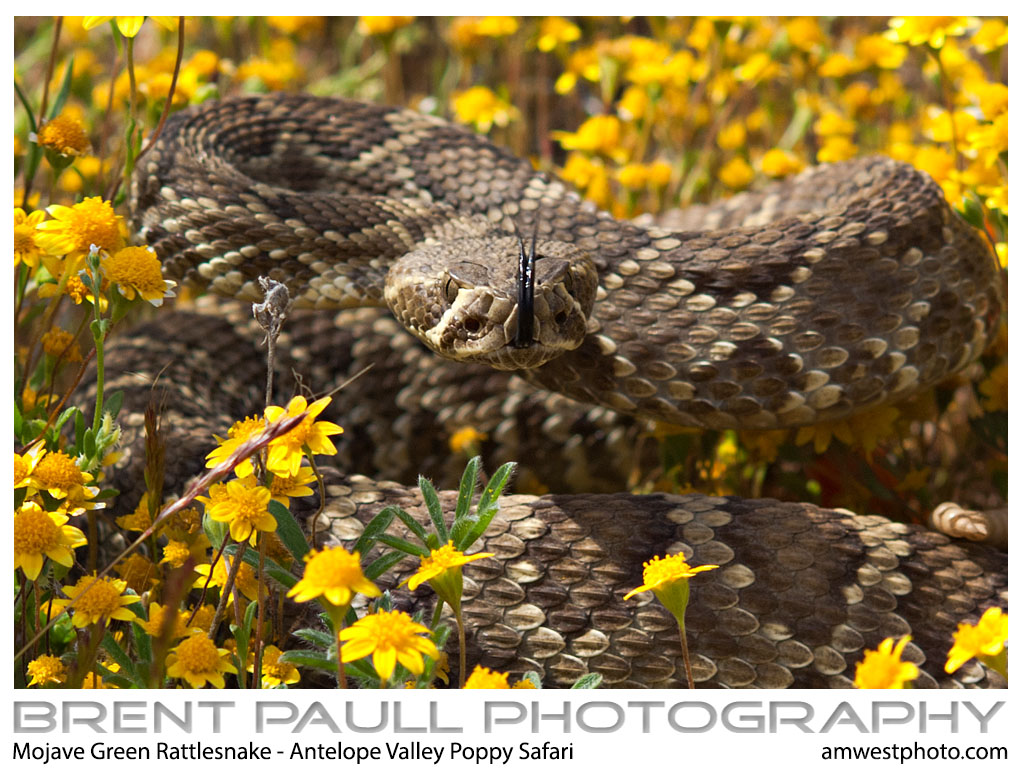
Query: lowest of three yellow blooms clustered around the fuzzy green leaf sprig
x,y
393,637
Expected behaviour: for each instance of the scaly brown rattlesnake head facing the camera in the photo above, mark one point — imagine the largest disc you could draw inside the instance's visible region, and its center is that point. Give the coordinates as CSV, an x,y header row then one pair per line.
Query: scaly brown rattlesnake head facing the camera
x,y
461,298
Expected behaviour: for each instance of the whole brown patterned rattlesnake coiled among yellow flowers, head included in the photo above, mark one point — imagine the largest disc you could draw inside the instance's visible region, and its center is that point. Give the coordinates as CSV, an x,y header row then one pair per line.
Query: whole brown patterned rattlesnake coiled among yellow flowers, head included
x,y
845,288
